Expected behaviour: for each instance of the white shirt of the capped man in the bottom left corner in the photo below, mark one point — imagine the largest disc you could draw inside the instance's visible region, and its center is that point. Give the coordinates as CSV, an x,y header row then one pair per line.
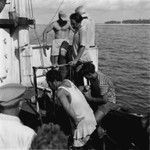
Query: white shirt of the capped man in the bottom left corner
x,y
13,134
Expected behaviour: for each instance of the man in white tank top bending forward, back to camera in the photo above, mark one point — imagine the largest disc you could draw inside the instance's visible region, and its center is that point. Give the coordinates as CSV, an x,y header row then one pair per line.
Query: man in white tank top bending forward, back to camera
x,y
75,104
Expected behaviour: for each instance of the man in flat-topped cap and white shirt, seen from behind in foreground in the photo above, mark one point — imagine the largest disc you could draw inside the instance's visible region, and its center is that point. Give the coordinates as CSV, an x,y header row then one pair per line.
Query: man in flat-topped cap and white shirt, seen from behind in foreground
x,y
13,134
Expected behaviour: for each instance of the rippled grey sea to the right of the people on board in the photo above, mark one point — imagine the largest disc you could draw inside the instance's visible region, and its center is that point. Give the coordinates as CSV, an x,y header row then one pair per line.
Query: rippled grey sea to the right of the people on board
x,y
124,55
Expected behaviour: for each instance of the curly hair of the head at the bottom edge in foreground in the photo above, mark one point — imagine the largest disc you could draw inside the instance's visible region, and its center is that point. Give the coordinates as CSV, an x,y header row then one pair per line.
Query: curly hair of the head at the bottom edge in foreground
x,y
49,137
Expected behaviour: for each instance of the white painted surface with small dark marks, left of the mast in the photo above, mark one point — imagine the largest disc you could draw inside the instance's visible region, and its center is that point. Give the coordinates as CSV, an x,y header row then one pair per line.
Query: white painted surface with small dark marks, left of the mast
x,y
9,70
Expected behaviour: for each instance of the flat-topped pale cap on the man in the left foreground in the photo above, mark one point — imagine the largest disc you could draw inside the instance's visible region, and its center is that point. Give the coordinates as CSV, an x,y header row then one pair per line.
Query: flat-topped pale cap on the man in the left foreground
x,y
11,93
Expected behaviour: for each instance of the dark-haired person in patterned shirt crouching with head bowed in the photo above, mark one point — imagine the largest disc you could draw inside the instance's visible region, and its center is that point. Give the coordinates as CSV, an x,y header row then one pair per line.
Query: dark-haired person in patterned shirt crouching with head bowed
x,y
101,92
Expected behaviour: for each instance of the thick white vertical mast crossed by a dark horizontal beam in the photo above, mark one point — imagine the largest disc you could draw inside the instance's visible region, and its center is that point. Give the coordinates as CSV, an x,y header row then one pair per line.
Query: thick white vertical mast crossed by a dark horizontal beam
x,y
24,46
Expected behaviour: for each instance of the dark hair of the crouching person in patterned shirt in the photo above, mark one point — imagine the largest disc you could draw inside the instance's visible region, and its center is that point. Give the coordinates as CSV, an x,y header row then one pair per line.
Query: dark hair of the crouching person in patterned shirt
x,y
87,68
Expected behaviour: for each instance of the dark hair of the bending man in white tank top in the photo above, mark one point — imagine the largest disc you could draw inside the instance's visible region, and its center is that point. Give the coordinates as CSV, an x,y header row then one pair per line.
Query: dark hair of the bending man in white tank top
x,y
53,75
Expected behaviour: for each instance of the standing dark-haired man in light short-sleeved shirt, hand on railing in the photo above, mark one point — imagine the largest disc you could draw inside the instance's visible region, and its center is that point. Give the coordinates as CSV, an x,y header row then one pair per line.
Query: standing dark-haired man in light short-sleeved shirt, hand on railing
x,y
80,45
